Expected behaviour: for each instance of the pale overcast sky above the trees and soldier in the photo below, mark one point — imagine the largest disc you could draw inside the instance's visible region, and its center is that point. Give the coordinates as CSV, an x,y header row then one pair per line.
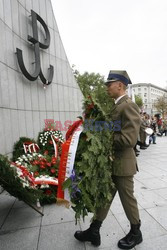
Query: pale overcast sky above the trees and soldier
x,y
103,35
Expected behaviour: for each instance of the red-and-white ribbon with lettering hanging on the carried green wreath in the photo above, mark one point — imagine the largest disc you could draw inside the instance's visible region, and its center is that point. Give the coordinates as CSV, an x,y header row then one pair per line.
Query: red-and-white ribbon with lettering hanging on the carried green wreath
x,y
69,148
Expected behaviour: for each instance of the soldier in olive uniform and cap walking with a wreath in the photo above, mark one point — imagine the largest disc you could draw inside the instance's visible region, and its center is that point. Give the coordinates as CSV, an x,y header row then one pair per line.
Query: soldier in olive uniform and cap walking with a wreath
x,y
124,165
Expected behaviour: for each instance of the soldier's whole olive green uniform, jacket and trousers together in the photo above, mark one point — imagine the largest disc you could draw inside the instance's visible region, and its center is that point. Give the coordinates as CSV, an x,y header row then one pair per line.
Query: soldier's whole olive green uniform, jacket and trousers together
x,y
124,164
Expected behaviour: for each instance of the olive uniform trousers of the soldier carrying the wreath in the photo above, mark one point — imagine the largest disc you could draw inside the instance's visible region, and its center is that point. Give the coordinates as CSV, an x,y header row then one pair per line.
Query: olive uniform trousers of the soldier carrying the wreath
x,y
125,187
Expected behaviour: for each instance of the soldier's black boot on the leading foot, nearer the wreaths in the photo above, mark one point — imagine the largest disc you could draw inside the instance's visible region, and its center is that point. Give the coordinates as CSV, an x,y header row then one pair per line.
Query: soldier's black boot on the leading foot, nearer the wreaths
x,y
91,234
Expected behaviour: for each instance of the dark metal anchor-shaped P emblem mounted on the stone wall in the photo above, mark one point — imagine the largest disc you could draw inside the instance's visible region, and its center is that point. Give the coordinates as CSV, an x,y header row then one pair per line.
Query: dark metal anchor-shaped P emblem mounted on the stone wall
x,y
37,45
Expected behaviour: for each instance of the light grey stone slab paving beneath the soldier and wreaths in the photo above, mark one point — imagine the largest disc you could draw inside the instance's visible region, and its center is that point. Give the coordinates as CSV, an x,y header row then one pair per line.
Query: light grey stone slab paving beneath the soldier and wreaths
x,y
21,228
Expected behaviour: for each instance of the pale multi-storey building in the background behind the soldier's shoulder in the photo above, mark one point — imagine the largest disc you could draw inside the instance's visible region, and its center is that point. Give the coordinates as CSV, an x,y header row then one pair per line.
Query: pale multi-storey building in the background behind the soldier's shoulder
x,y
149,94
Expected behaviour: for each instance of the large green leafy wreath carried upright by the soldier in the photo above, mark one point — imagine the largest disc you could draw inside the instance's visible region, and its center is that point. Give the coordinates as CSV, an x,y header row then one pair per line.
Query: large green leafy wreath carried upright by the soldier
x,y
91,183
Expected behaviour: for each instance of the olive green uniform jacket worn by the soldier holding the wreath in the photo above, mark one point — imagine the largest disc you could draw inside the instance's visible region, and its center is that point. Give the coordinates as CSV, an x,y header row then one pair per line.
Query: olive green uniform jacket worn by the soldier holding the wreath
x,y
126,114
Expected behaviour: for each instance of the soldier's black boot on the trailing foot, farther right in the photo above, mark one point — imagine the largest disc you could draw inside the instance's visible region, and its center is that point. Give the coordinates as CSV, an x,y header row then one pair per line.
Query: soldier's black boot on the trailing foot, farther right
x,y
133,238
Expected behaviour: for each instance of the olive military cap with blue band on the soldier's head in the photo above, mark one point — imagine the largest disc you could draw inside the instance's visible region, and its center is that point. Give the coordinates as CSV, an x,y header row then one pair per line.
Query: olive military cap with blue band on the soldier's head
x,y
118,75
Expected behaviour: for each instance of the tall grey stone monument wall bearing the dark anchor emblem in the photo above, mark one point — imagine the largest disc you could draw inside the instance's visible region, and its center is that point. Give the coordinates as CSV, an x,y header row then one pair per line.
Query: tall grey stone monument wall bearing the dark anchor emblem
x,y
36,80
